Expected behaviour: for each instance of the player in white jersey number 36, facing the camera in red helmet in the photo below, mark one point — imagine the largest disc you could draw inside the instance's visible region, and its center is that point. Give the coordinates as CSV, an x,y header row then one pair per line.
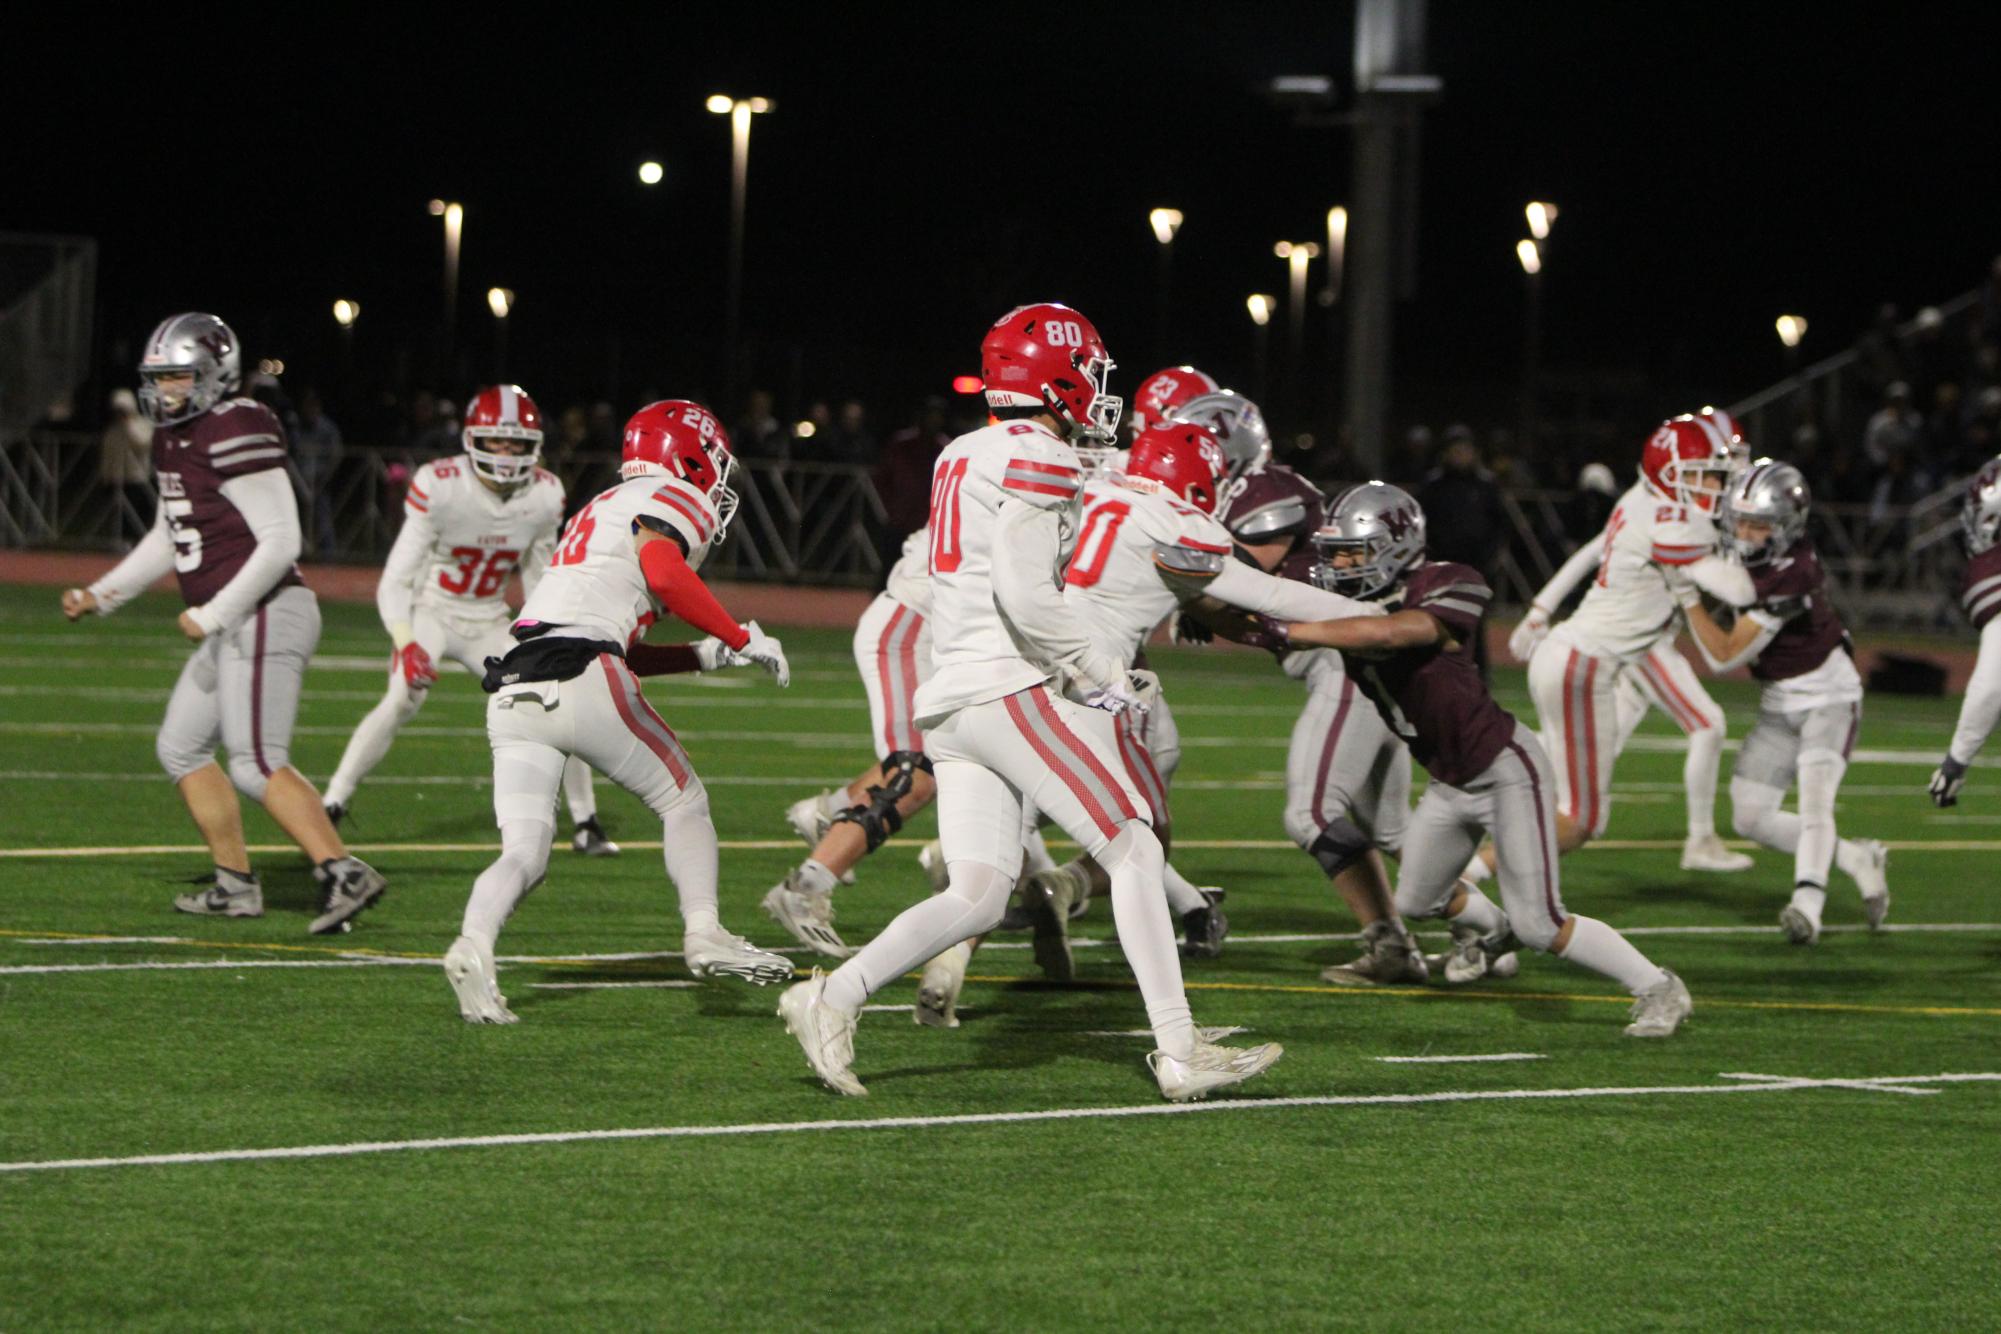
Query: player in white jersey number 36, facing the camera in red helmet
x,y
469,523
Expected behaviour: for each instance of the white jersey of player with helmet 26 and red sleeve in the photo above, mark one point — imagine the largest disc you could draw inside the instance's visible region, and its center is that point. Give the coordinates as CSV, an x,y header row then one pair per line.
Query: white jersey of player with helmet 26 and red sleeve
x,y
593,585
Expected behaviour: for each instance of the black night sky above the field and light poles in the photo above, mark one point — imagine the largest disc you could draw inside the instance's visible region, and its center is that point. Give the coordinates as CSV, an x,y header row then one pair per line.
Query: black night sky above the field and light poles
x,y
1716,165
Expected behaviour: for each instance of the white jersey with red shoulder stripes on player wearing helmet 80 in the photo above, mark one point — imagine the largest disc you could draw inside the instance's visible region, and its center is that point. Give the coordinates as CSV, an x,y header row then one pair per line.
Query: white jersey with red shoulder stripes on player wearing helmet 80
x,y
973,653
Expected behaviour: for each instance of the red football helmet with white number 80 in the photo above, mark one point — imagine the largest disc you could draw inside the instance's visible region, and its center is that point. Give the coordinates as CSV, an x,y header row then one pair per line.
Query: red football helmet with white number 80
x,y
1050,357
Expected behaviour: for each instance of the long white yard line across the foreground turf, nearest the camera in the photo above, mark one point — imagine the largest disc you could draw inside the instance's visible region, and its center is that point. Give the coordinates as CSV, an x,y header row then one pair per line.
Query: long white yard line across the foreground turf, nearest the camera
x,y
1744,1085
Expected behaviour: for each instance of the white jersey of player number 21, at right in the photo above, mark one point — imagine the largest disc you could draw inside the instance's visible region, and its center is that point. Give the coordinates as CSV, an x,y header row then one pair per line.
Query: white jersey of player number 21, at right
x,y
1628,607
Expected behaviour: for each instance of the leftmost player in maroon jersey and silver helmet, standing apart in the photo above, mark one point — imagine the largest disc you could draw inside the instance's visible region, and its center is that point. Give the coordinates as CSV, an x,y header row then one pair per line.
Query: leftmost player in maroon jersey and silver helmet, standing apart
x,y
229,531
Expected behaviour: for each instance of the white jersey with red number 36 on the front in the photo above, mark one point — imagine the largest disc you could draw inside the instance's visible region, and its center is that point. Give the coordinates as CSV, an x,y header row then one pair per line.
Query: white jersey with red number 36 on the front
x,y
461,541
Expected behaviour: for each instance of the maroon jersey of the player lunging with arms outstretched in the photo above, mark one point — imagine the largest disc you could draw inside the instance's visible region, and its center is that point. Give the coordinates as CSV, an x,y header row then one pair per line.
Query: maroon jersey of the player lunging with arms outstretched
x,y
1434,697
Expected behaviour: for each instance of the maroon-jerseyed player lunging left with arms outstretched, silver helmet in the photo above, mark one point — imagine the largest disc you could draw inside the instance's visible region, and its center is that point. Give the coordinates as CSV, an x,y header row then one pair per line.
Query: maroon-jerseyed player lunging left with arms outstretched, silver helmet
x,y
1488,771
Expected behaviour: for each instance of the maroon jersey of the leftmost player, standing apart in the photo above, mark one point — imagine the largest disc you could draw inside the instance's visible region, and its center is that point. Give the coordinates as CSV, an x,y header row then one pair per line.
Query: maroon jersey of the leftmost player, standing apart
x,y
191,463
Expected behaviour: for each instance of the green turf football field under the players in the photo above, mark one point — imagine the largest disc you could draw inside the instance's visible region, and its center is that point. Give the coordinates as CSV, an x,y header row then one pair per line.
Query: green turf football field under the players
x,y
1592,1183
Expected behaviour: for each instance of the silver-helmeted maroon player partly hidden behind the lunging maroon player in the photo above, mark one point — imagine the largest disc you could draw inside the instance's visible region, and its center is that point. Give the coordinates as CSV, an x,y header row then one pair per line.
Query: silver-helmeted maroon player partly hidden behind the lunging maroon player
x,y
1348,779
